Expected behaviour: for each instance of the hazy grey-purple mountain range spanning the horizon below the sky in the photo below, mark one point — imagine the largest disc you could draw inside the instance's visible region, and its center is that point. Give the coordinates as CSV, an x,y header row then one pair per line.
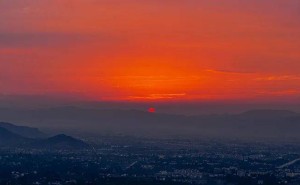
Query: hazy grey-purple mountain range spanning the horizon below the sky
x,y
251,124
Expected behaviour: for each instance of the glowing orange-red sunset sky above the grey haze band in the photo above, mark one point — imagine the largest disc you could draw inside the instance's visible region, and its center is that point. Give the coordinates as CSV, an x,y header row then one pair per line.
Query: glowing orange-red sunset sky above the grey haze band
x,y
151,50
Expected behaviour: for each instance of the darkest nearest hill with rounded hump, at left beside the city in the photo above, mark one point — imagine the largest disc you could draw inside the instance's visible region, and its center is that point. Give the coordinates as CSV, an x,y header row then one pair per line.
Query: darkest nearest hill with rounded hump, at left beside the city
x,y
60,142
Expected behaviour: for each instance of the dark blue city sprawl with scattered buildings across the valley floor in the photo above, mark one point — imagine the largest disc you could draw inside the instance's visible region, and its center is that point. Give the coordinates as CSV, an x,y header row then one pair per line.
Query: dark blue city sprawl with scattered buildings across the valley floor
x,y
129,160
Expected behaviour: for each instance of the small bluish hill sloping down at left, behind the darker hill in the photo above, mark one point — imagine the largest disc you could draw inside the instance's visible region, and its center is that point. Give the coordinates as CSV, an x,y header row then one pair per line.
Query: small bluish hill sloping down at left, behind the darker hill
x,y
28,132
